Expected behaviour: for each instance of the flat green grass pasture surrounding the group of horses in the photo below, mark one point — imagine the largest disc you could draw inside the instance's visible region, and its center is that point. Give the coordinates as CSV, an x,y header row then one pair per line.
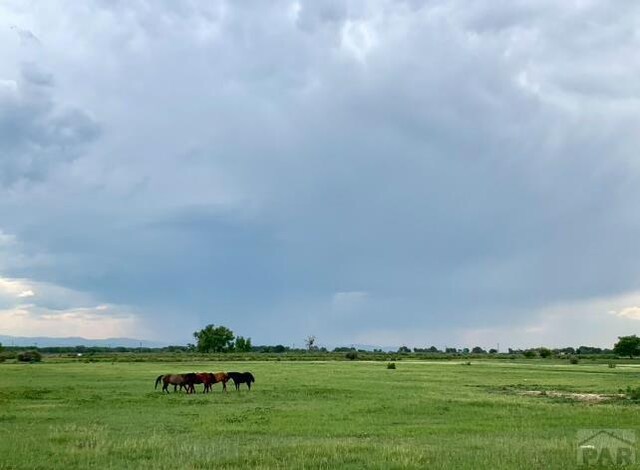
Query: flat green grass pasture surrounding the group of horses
x,y
306,415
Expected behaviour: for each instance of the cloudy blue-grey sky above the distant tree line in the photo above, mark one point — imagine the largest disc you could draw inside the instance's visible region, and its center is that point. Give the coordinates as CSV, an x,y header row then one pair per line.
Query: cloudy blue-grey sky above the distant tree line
x,y
437,172
